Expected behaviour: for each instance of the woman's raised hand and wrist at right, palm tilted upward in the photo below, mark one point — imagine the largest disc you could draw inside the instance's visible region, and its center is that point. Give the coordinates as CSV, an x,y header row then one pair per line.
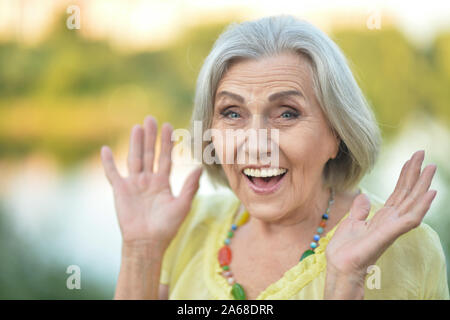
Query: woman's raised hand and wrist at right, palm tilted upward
x,y
358,243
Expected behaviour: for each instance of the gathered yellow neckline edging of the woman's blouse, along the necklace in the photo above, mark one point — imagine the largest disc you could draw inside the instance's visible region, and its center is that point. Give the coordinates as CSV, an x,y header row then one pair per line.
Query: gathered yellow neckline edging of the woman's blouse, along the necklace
x,y
292,281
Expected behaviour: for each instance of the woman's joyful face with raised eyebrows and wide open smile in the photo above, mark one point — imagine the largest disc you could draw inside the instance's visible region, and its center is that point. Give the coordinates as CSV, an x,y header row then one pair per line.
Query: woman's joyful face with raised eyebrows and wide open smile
x,y
274,93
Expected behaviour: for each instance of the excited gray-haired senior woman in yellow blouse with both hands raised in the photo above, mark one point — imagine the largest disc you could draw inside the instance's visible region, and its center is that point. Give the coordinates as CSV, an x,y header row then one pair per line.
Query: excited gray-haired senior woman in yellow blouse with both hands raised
x,y
300,229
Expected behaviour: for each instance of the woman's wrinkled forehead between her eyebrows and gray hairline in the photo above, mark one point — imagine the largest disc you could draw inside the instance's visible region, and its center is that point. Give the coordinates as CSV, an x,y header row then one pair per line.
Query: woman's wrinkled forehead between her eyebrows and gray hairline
x,y
287,70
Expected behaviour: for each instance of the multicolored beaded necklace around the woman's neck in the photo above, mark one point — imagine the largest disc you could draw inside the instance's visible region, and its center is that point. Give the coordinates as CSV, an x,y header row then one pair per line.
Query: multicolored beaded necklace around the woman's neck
x,y
225,252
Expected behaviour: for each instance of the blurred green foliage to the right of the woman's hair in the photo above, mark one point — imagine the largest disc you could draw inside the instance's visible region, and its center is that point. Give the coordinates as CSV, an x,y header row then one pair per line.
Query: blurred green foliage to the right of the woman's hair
x,y
397,78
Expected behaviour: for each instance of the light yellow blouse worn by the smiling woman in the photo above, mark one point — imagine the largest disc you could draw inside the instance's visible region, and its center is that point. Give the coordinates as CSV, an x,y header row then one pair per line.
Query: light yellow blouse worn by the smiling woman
x,y
413,267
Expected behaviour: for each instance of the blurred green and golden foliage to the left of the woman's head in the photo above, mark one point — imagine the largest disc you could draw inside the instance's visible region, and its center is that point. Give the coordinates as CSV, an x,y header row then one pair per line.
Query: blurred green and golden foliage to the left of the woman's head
x,y
69,95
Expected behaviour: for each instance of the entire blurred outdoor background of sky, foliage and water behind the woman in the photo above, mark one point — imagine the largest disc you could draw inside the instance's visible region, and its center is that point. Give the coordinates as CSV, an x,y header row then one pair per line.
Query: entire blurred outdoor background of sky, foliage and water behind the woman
x,y
75,75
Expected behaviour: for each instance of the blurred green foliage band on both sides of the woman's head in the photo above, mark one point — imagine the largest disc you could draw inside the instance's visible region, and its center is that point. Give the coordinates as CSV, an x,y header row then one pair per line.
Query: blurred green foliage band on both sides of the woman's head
x,y
60,79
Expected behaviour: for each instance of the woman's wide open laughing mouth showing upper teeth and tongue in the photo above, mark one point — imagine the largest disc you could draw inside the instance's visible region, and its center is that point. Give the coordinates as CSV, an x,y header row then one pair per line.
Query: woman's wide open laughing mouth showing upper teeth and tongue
x,y
264,180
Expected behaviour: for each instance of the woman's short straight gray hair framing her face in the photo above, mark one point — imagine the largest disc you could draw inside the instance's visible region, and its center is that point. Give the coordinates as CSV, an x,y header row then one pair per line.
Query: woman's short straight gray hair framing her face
x,y
344,105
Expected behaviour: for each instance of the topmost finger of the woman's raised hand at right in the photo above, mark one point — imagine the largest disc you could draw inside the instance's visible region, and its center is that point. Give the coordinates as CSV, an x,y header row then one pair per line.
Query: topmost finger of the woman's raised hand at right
x,y
412,173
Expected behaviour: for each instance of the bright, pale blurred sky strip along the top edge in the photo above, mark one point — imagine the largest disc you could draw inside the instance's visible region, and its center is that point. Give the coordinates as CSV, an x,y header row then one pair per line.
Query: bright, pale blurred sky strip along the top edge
x,y
143,24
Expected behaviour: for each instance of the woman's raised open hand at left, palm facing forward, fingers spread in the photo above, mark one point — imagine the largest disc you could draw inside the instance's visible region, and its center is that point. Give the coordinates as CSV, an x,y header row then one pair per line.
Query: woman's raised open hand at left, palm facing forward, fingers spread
x,y
147,211
